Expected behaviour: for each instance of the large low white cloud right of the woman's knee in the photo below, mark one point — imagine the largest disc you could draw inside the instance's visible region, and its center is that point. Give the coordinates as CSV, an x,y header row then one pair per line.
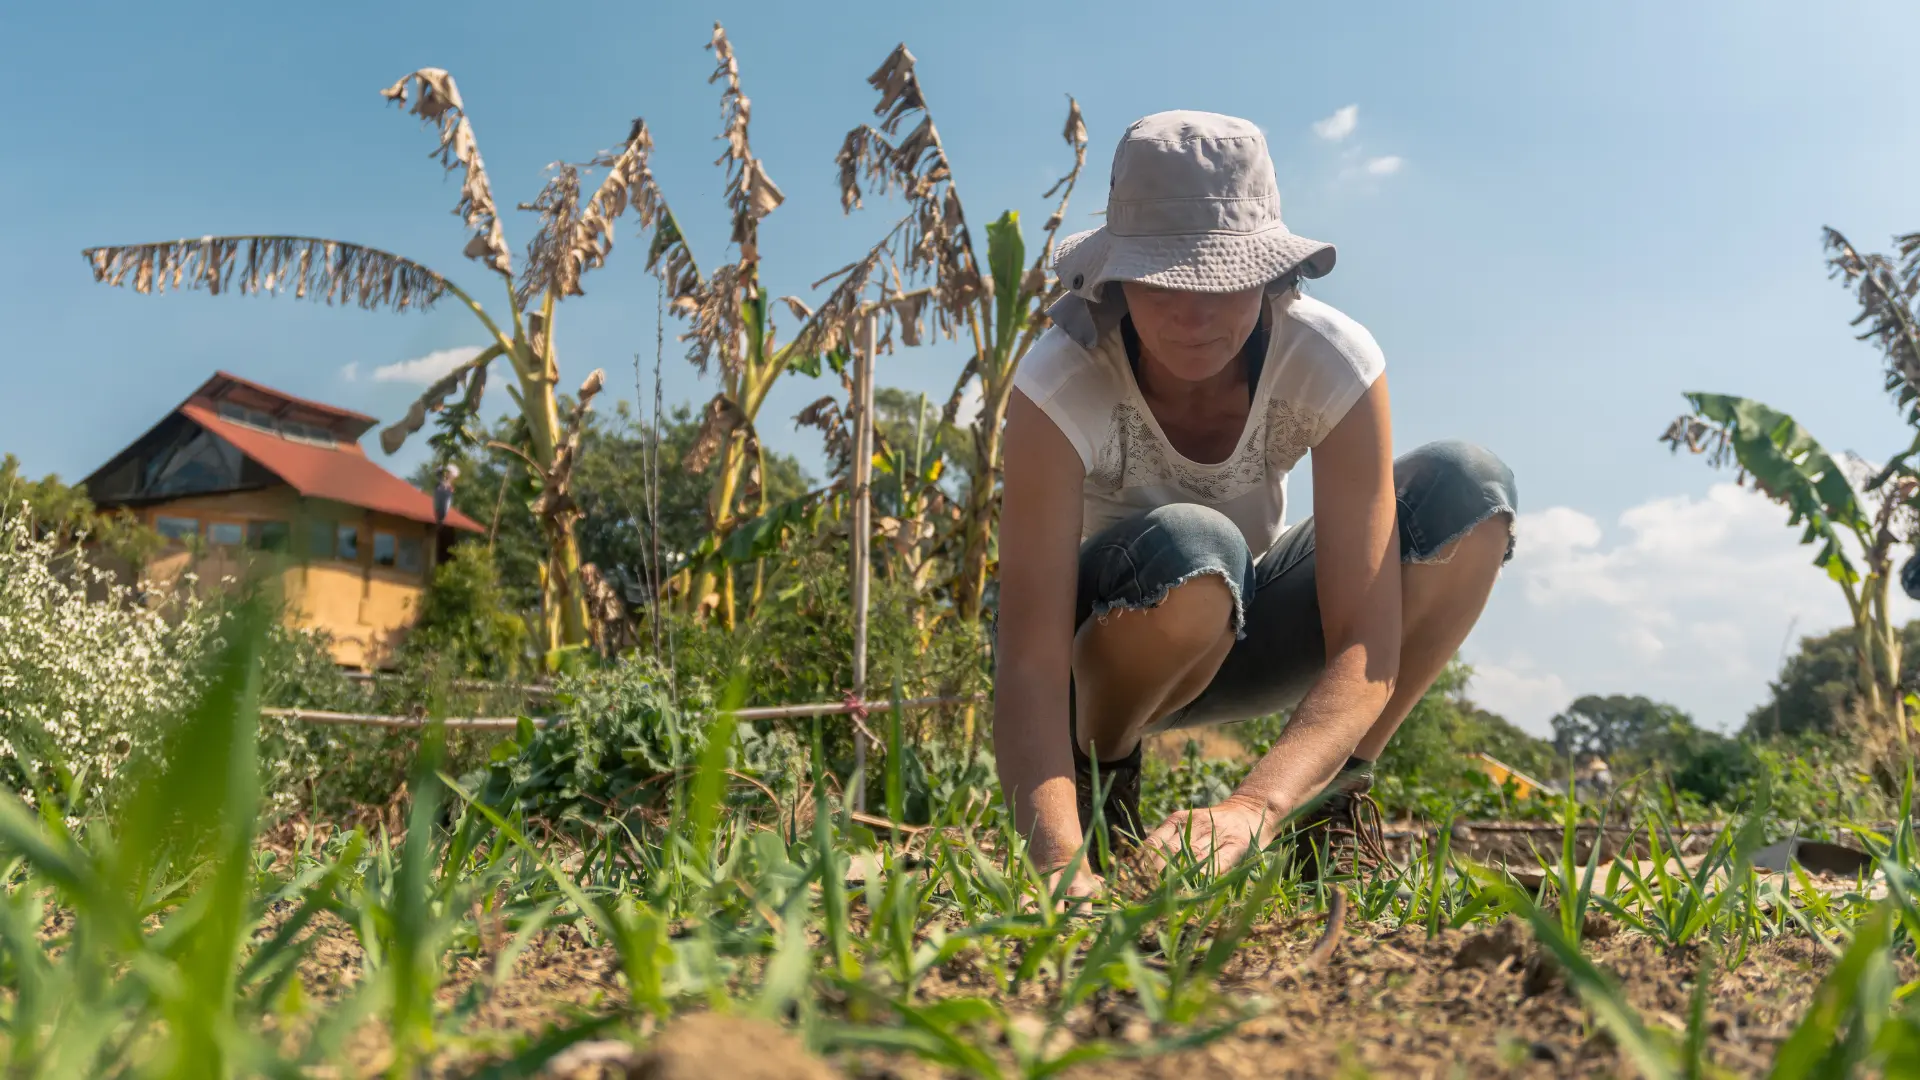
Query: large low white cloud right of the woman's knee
x,y
1685,601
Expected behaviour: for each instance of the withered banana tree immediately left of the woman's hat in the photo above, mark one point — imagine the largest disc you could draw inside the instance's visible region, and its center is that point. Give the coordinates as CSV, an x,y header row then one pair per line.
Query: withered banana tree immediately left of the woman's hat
x,y
1001,307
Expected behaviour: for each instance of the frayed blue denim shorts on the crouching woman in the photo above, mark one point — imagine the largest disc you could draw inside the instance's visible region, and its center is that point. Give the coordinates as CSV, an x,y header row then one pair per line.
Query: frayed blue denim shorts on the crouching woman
x,y
1443,491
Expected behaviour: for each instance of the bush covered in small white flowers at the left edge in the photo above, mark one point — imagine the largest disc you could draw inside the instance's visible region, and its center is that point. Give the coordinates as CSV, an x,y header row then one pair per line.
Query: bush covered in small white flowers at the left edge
x,y
87,672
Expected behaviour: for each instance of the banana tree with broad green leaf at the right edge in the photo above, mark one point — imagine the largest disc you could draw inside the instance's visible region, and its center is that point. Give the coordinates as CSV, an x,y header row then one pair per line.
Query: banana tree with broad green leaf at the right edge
x,y
1856,520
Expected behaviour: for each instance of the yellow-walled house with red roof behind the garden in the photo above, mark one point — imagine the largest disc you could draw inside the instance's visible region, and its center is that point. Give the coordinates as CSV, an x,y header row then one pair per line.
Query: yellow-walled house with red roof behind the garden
x,y
243,476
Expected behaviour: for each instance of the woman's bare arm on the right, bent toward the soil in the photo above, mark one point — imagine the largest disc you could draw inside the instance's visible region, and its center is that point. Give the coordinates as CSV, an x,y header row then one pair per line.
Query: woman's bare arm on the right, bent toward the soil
x,y
1356,551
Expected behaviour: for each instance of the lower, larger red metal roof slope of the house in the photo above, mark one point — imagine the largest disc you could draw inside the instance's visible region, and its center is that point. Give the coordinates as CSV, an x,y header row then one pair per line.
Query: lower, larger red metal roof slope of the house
x,y
339,474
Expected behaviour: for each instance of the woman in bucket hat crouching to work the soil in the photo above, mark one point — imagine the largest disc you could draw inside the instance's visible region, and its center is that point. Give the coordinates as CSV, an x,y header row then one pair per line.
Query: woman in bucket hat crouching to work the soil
x,y
1147,581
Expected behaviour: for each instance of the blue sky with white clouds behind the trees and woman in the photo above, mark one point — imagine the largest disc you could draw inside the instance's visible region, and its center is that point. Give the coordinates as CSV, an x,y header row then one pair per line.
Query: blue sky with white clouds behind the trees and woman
x,y
1593,210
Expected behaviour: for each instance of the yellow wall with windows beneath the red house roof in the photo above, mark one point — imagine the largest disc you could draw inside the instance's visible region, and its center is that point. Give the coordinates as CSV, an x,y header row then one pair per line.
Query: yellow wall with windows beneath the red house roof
x,y
366,608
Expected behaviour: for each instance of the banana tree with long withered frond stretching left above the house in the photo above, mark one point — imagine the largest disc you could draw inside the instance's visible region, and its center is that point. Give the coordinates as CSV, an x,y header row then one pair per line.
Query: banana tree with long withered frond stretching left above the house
x,y
571,241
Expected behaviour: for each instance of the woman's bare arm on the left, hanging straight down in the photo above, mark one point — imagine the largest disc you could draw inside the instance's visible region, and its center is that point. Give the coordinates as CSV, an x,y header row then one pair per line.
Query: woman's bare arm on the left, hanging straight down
x,y
1040,574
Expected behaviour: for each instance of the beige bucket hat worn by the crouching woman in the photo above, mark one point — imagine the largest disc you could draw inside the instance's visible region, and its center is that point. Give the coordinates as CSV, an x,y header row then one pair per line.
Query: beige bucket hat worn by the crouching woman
x,y
1193,207
